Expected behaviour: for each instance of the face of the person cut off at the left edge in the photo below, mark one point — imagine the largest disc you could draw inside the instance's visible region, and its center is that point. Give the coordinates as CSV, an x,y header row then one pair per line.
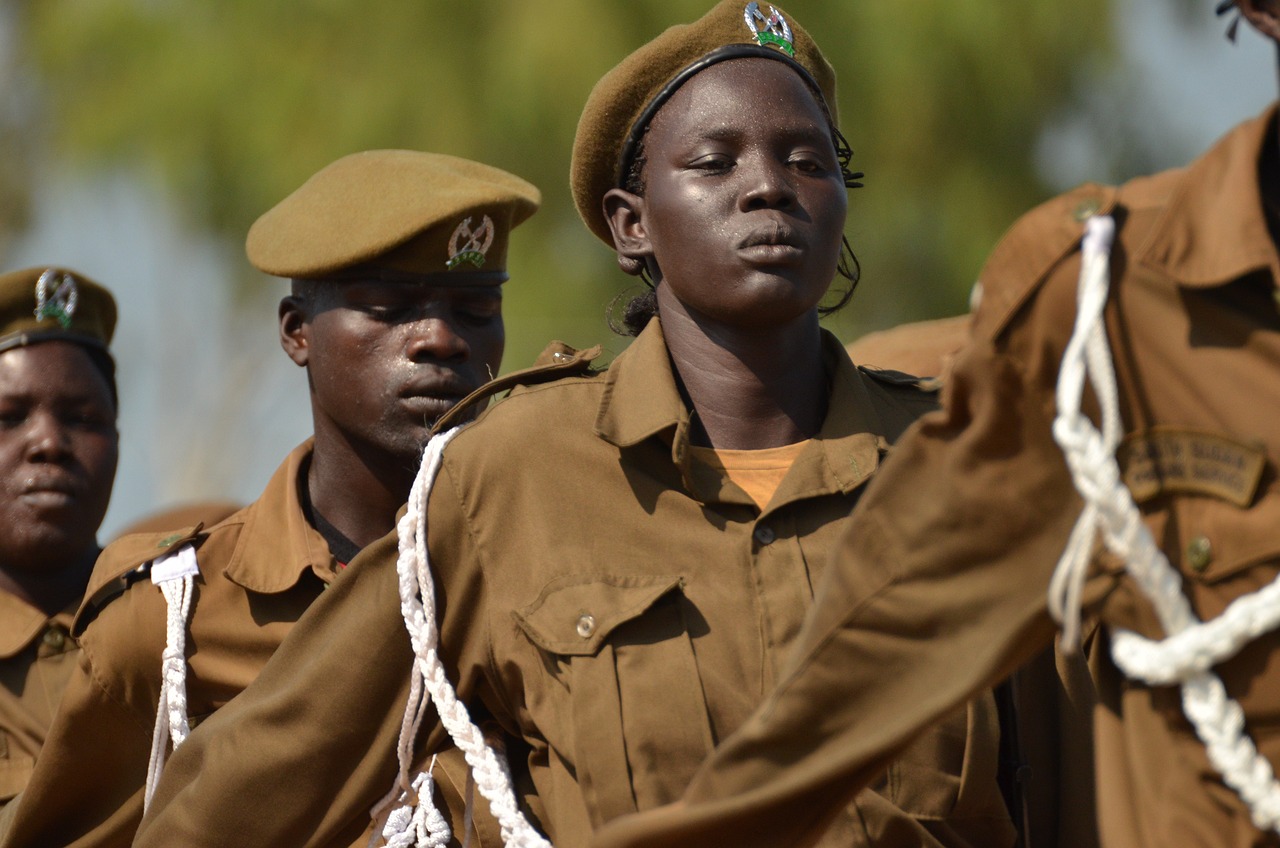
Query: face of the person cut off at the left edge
x,y
58,454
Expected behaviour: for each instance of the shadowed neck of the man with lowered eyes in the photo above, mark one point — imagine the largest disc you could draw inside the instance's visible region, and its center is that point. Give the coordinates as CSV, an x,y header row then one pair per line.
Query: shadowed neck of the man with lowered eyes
x,y
358,490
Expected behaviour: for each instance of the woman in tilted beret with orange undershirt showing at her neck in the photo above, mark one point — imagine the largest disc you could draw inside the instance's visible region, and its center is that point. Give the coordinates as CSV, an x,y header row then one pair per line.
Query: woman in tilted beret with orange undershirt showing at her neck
x,y
623,559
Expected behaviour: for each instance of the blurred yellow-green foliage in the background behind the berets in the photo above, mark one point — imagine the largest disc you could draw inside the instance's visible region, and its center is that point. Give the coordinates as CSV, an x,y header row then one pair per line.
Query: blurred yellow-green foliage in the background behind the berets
x,y
231,106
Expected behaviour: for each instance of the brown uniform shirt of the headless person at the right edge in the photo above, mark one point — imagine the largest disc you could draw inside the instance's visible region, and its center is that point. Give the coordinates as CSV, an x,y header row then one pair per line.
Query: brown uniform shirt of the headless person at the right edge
x,y
976,507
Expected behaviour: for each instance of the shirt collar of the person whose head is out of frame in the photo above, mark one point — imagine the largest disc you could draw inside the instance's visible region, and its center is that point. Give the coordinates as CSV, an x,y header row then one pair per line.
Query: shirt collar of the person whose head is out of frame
x,y
1213,229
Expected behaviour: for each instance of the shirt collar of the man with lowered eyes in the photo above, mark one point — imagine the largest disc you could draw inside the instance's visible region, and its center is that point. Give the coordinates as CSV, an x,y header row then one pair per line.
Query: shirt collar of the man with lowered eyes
x,y
278,544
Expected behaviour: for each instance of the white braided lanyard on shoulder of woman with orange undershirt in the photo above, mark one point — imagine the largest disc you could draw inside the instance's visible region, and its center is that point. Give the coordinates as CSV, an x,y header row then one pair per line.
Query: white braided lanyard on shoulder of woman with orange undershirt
x,y
431,683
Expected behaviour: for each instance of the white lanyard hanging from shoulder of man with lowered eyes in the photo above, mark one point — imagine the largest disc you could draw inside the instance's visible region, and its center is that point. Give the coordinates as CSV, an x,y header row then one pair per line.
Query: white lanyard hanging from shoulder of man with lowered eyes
x,y
176,576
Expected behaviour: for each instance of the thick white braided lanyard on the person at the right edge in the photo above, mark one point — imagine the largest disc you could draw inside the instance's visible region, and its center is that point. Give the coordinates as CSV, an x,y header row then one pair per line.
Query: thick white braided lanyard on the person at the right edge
x,y
1192,648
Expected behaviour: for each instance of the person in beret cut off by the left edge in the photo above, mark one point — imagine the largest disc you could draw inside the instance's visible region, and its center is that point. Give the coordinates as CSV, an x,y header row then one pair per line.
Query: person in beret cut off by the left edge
x,y
58,457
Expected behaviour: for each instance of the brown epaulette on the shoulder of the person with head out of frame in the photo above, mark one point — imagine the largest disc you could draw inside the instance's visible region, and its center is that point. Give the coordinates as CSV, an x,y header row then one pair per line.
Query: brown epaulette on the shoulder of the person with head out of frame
x,y
1030,250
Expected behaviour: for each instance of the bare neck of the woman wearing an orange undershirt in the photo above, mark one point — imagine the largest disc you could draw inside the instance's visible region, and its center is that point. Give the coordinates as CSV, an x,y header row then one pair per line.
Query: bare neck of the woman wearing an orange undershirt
x,y
749,389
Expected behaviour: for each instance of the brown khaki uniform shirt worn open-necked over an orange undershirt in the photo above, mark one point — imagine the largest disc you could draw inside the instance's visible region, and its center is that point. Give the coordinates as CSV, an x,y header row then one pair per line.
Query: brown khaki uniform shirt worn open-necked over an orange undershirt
x,y
614,607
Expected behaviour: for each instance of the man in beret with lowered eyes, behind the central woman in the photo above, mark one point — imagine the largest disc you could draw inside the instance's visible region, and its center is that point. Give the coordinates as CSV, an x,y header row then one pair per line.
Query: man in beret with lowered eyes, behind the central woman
x,y
397,261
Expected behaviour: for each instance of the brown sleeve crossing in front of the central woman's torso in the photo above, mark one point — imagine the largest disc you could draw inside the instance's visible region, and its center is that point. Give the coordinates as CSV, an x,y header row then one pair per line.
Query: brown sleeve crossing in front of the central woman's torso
x,y
936,591
